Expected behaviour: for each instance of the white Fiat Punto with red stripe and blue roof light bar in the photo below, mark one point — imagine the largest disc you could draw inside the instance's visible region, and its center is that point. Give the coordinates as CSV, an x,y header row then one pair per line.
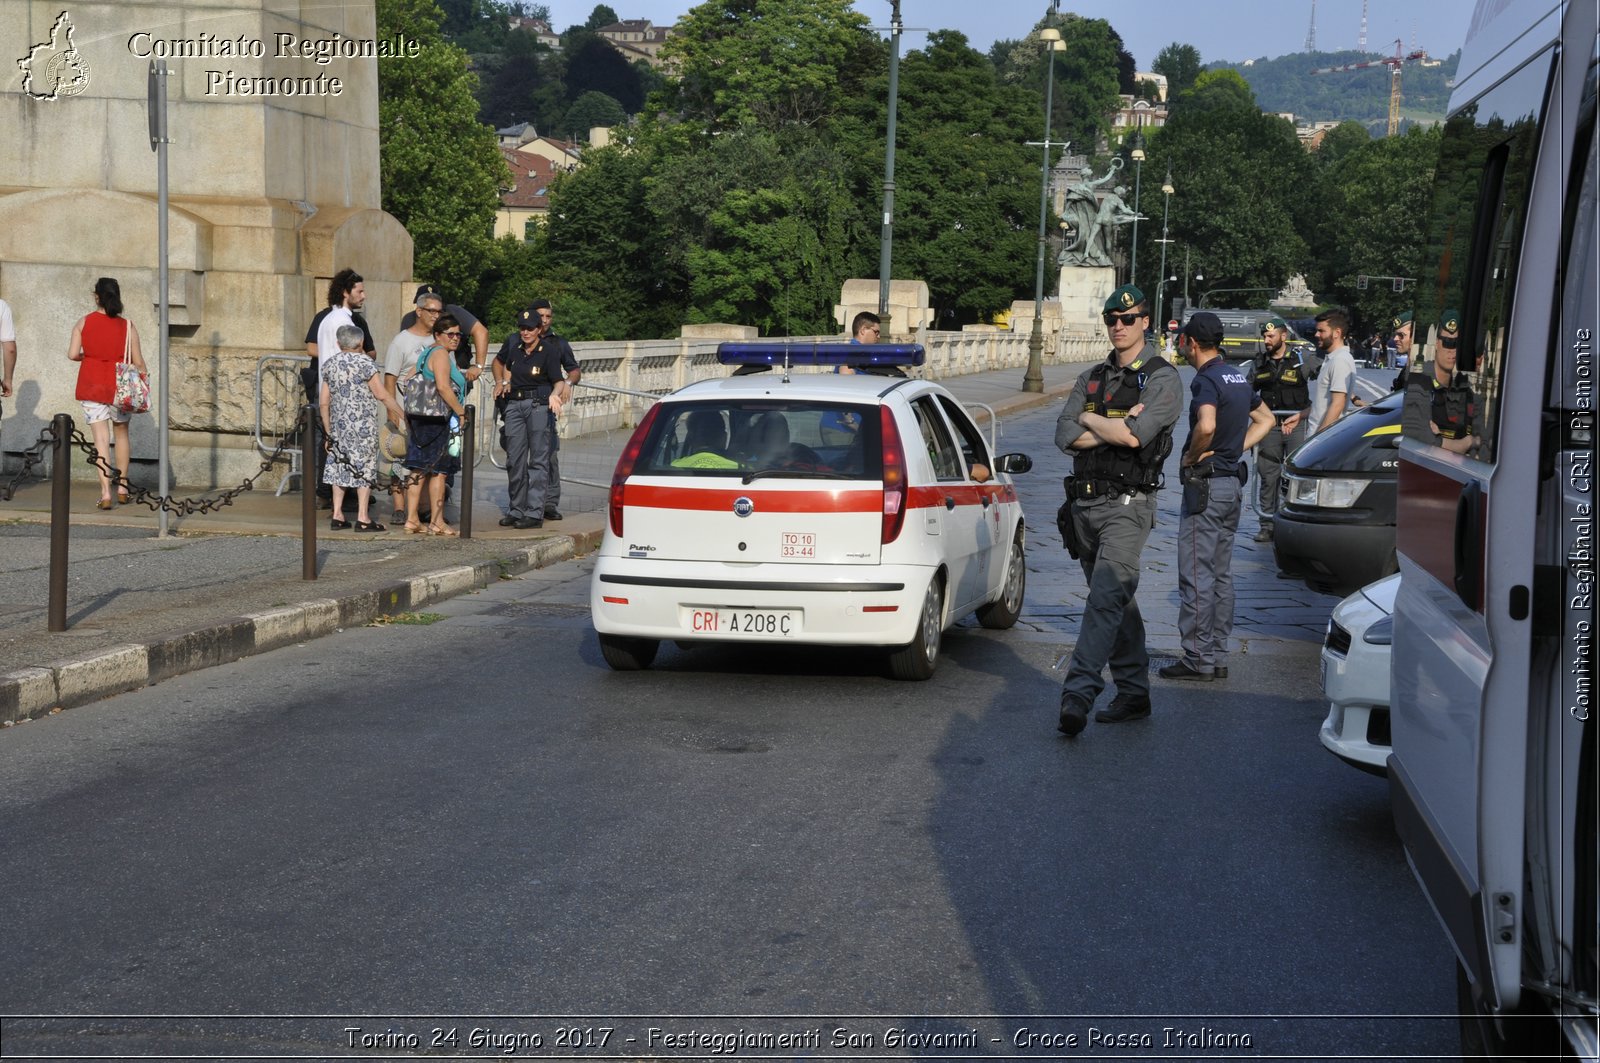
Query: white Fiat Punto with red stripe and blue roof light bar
x,y
809,508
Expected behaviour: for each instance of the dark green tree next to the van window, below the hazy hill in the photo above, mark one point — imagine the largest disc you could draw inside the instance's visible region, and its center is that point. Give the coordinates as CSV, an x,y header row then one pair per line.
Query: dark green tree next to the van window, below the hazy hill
x,y
1380,196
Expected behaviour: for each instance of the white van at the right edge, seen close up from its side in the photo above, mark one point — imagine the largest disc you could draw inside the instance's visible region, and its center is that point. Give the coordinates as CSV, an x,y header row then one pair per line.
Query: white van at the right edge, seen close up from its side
x,y
1494,768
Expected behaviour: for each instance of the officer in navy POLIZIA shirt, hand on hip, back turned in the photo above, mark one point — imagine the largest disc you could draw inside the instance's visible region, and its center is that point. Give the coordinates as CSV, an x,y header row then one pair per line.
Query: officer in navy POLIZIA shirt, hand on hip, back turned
x,y
1226,419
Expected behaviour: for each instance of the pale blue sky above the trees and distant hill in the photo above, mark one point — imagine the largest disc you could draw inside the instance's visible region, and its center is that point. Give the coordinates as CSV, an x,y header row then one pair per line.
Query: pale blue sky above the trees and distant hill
x,y
1222,30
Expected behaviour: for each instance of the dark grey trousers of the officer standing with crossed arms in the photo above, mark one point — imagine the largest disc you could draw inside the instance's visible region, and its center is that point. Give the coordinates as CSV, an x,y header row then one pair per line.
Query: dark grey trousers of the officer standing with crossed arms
x,y
1113,630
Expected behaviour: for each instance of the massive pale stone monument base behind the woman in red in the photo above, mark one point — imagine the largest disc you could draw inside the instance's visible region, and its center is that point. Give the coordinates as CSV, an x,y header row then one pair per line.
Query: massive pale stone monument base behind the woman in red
x,y
274,187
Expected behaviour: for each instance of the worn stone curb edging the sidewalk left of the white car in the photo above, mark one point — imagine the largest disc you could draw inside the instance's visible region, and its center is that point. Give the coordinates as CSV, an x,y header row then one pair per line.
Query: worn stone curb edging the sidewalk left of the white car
x,y
39,691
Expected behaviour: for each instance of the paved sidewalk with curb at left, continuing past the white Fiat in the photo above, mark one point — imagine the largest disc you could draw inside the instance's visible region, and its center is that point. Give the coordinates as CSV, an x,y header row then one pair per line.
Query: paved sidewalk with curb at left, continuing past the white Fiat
x,y
222,587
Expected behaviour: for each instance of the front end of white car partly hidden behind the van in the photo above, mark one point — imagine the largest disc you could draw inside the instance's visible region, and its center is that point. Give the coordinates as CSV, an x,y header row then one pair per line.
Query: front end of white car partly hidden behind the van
x,y
1356,676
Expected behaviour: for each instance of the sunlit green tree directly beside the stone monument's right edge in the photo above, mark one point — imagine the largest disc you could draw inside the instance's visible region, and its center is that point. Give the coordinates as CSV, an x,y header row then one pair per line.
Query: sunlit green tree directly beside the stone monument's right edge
x,y
439,166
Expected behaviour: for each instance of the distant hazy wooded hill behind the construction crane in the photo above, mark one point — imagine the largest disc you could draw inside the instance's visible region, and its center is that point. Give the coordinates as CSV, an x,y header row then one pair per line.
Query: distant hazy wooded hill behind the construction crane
x,y
1287,84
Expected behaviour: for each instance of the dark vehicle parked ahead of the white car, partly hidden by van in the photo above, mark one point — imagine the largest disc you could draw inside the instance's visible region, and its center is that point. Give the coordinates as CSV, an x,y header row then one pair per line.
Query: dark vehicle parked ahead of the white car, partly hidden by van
x,y
1337,521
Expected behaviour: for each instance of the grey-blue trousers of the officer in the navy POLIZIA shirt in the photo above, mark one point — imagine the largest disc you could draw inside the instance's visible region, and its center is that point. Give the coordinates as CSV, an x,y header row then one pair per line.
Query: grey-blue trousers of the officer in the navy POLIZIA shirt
x,y
1206,571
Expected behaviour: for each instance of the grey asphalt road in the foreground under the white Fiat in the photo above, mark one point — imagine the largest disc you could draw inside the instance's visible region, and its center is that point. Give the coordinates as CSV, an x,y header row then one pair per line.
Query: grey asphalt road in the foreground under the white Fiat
x,y
450,825
